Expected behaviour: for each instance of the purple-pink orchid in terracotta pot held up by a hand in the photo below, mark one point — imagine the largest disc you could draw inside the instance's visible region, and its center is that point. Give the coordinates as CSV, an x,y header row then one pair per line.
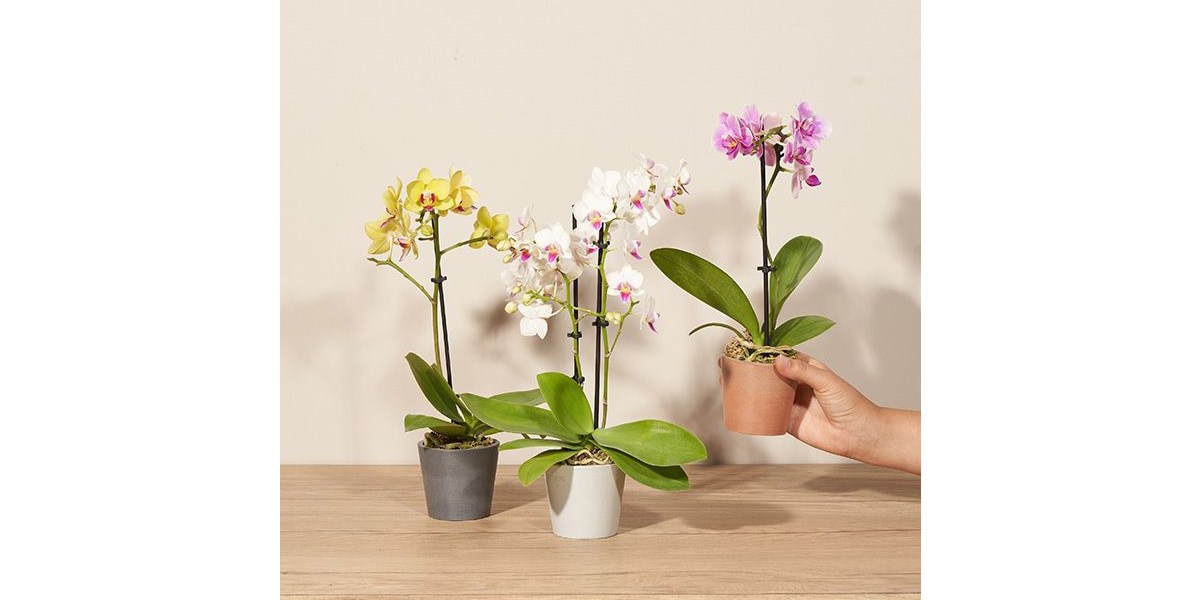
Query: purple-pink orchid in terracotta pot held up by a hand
x,y
755,400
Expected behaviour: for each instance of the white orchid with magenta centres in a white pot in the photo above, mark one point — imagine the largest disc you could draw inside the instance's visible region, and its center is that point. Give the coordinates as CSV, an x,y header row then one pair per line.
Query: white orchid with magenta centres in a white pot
x,y
587,460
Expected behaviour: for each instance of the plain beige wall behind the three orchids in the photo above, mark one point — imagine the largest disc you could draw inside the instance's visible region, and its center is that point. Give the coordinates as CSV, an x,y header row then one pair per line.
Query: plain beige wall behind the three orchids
x,y
529,98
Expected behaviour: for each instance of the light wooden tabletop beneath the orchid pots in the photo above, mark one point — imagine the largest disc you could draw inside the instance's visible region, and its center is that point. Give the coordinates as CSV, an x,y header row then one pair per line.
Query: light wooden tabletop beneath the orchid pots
x,y
825,532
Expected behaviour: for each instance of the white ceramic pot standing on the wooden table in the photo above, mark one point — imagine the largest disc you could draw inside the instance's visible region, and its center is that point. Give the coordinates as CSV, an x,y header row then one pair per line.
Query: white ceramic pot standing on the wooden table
x,y
585,501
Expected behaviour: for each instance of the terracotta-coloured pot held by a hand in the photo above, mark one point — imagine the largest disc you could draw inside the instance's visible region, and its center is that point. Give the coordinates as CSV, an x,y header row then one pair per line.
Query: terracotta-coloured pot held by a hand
x,y
757,400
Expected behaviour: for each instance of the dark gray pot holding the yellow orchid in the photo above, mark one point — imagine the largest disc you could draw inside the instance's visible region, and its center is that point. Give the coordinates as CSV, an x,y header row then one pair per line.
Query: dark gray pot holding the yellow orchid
x,y
459,484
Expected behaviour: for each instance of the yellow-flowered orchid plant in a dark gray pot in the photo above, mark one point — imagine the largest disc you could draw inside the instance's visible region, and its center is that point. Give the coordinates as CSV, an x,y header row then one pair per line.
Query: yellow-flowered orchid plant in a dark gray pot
x,y
458,455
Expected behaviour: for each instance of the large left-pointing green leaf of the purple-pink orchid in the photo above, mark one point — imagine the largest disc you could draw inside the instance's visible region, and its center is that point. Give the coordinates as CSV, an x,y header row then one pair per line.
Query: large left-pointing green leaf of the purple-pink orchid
x,y
710,285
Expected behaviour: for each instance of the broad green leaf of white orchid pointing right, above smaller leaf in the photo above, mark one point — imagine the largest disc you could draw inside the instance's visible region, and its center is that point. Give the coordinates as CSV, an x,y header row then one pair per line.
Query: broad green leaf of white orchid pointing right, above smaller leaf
x,y
653,442
